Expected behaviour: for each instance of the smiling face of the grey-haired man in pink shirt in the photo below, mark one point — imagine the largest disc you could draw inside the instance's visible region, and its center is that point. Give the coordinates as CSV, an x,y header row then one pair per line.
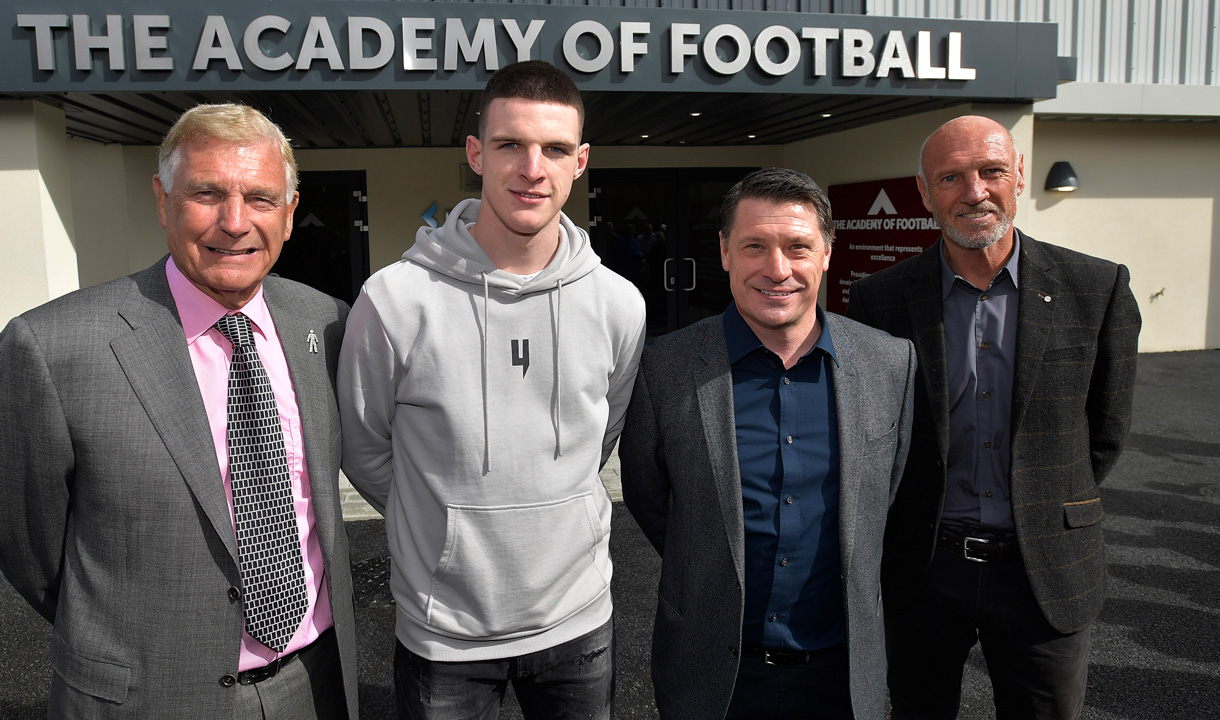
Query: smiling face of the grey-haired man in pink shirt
x,y
228,215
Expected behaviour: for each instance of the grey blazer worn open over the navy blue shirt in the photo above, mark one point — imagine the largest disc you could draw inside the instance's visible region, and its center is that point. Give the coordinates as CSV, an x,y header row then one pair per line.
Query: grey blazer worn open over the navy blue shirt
x,y
681,481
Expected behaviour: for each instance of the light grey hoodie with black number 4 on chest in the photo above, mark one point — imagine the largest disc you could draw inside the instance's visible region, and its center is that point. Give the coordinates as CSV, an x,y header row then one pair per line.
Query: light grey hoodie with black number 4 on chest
x,y
478,411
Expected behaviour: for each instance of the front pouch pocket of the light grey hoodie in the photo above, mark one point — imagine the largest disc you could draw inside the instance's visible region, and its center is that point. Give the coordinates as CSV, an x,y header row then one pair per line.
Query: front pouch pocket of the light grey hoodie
x,y
515,571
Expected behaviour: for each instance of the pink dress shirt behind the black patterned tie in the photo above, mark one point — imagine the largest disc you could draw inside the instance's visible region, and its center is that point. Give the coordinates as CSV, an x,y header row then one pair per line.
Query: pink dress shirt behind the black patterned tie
x,y
210,356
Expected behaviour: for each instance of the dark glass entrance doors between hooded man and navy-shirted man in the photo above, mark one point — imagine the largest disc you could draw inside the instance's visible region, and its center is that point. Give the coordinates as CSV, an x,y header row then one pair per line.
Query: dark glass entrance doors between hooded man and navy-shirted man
x,y
659,229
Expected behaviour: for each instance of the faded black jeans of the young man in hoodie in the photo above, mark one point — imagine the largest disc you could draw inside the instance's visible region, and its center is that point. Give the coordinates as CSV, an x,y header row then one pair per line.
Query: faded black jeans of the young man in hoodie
x,y
568,682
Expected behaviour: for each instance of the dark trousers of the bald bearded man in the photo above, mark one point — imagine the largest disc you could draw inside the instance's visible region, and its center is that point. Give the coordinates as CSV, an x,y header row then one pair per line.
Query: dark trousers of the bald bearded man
x,y
1036,672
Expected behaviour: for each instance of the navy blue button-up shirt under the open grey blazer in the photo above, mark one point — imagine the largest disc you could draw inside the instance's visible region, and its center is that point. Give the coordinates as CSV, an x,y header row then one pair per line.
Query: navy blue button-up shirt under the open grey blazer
x,y
788,450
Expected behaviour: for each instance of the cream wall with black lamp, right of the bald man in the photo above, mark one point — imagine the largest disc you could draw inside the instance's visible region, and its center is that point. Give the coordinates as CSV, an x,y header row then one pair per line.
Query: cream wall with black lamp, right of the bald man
x,y
1149,198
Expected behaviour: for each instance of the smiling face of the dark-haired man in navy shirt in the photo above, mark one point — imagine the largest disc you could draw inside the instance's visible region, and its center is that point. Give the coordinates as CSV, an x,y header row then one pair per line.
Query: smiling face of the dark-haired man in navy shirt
x,y
775,256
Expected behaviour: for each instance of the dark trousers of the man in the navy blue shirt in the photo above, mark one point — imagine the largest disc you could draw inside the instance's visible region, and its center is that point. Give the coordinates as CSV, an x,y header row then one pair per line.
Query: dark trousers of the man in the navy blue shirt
x,y
818,690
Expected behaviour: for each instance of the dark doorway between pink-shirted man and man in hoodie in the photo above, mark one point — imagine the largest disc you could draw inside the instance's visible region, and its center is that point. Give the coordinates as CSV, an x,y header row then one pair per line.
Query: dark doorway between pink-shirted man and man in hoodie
x,y
329,250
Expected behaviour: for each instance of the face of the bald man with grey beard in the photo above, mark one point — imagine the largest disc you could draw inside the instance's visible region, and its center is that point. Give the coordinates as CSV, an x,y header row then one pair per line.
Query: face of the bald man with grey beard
x,y
971,179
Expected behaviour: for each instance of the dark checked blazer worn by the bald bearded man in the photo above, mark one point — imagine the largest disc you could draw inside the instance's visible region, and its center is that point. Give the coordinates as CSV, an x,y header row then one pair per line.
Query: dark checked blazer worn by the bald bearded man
x,y
1077,339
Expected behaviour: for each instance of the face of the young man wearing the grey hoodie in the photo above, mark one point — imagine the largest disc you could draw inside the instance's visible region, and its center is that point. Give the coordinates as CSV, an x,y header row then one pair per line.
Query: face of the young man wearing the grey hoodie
x,y
529,157
